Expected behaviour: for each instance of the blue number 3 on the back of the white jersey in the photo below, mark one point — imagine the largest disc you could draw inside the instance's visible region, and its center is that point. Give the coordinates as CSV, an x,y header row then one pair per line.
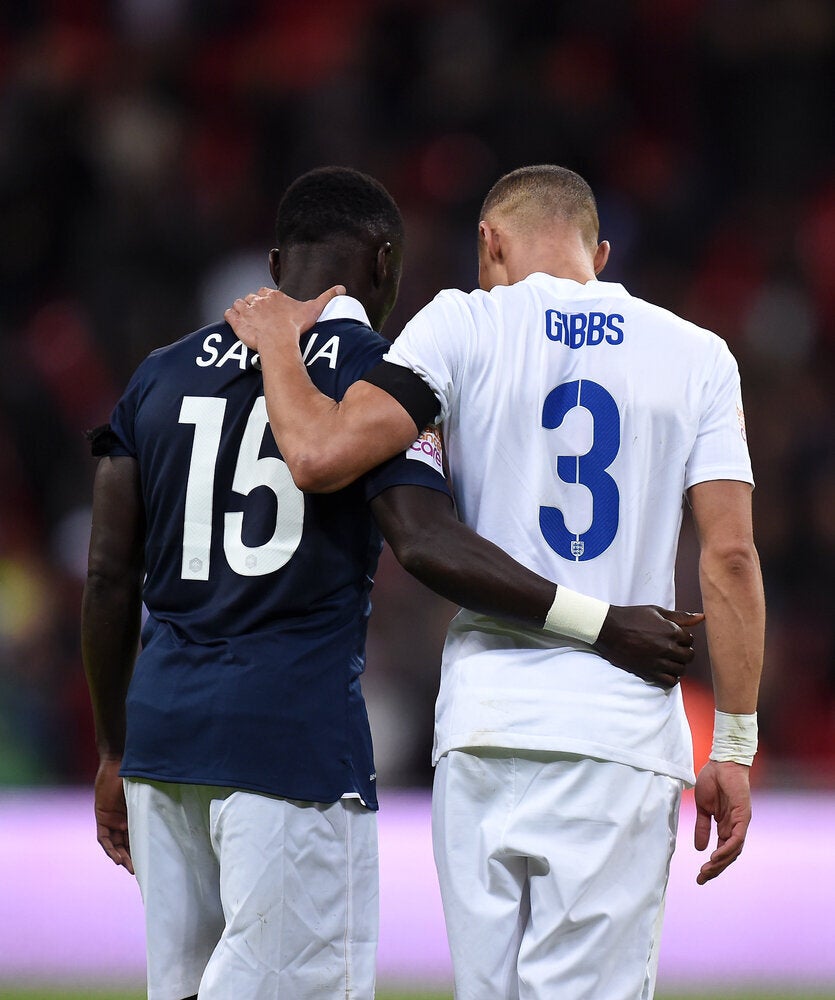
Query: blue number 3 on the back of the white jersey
x,y
587,470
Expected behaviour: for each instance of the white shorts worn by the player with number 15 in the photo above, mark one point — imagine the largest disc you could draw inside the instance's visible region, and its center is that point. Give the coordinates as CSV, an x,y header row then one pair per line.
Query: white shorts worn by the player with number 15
x,y
249,896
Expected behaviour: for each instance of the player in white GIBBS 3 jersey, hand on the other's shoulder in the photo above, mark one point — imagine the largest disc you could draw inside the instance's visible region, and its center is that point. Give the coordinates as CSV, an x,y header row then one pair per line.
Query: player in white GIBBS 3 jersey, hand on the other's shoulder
x,y
576,420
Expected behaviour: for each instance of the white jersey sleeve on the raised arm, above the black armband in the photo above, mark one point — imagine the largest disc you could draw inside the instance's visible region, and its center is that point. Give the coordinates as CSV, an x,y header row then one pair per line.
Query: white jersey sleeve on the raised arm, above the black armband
x,y
434,344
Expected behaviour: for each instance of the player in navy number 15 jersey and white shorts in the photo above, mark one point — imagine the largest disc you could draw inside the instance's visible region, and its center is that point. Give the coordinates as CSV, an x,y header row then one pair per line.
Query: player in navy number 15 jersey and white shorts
x,y
236,774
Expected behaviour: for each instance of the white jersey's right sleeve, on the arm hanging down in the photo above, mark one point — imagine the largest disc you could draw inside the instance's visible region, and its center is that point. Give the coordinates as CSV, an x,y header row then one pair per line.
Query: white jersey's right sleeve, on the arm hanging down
x,y
721,448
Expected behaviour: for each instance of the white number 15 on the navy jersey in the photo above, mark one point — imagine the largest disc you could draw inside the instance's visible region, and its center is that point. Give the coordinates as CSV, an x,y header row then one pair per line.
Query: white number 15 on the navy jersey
x,y
206,413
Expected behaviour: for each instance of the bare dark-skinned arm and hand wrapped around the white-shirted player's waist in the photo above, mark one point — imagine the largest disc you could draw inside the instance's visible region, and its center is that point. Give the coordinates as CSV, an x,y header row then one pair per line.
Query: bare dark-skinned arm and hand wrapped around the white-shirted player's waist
x,y
430,542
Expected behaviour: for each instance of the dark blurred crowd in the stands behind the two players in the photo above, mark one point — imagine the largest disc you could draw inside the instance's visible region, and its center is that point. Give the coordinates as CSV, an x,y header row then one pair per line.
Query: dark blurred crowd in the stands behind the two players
x,y
146,143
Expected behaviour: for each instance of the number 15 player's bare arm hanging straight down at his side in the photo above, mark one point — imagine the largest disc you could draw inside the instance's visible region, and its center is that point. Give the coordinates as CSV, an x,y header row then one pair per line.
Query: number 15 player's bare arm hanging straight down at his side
x,y
110,623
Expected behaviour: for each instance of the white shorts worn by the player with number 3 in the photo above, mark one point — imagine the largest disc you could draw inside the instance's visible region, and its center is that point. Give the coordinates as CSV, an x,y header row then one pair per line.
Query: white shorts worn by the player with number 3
x,y
552,871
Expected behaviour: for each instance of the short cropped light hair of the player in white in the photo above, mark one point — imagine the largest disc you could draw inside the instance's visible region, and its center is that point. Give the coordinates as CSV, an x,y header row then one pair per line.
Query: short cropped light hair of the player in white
x,y
537,195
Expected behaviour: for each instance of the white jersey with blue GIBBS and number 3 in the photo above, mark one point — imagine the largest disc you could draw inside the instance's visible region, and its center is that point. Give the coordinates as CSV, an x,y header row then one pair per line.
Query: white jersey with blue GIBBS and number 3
x,y
574,418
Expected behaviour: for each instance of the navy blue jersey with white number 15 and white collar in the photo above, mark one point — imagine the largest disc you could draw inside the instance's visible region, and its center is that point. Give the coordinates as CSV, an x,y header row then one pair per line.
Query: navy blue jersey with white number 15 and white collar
x,y
258,595
